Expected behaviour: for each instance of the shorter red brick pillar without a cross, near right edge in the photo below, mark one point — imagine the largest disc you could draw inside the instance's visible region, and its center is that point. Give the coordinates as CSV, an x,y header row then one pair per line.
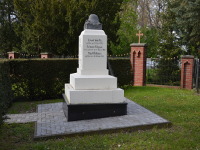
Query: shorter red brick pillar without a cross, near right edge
x,y
187,63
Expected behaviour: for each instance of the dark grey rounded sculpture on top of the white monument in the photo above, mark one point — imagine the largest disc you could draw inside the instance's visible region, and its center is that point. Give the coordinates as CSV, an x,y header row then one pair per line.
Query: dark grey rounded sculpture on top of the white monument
x,y
93,23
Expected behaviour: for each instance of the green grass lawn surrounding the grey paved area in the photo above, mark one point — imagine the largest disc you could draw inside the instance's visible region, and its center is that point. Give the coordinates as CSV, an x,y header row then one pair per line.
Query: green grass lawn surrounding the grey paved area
x,y
181,107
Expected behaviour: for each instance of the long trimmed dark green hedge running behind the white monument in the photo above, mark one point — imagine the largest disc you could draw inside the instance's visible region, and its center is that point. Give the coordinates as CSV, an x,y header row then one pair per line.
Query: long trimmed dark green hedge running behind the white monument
x,y
36,79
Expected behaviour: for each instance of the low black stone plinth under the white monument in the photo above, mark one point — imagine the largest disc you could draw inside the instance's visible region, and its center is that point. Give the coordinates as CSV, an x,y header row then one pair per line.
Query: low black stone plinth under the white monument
x,y
74,112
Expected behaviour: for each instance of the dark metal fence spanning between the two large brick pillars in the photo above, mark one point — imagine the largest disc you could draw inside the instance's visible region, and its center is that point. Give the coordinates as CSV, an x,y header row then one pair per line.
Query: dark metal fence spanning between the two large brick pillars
x,y
163,71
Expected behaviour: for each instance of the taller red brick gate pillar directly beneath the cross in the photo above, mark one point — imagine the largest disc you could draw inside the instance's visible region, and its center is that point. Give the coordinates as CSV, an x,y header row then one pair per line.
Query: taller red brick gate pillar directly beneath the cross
x,y
138,63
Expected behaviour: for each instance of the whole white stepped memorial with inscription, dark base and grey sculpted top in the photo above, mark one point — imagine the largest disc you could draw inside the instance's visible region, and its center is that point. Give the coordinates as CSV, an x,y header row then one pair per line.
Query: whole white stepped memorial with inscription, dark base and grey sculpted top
x,y
91,85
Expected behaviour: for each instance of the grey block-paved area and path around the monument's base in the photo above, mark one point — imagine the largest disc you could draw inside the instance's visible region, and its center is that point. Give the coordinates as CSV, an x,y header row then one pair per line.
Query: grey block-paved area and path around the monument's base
x,y
51,121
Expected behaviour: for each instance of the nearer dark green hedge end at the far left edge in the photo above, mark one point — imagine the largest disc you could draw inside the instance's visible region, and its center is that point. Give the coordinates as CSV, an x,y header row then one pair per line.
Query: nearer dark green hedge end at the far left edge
x,y
6,95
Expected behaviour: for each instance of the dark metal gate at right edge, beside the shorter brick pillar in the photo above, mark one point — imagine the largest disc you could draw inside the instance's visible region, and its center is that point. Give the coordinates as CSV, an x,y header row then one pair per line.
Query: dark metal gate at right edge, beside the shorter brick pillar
x,y
196,76
